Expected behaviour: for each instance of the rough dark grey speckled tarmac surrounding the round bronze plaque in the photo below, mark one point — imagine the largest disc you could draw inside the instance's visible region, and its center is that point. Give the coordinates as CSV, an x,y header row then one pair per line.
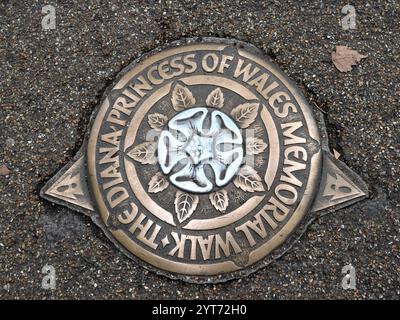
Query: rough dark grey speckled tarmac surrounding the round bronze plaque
x,y
52,80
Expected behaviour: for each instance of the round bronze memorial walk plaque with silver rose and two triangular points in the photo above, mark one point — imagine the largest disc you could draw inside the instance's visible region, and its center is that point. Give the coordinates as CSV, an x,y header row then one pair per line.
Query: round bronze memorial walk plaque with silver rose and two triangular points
x,y
204,162
